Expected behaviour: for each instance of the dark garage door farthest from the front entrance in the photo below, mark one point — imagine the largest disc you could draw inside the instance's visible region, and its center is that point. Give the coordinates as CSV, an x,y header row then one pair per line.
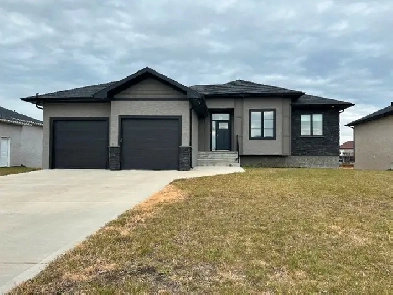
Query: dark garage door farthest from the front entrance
x,y
80,144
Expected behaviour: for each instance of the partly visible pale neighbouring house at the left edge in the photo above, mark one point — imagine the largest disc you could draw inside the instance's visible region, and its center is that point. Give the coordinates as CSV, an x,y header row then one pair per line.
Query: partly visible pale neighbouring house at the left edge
x,y
20,140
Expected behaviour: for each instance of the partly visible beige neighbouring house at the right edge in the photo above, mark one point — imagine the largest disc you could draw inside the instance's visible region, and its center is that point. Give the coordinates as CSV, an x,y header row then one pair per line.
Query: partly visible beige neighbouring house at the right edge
x,y
373,136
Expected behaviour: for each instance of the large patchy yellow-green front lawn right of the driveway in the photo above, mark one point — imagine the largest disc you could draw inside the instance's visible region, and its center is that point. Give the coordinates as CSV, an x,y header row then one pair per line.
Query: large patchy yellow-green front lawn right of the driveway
x,y
266,230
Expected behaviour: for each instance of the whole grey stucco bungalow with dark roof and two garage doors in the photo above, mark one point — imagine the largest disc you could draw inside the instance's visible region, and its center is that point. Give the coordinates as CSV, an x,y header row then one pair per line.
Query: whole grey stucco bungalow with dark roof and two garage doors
x,y
149,121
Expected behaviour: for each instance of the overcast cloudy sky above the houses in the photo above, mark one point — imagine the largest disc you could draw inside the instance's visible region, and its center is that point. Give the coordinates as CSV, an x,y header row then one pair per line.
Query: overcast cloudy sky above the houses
x,y
337,49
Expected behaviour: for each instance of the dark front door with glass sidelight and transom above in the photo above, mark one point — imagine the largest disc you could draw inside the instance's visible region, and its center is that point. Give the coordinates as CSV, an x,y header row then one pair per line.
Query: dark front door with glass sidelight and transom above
x,y
221,132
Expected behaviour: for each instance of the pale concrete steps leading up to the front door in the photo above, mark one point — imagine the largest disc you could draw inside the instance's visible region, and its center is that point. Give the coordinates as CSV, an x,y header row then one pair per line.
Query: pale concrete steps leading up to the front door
x,y
219,158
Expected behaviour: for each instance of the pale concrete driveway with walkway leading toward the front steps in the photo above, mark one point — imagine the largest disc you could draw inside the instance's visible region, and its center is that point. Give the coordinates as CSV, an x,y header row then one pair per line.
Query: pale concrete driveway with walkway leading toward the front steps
x,y
45,213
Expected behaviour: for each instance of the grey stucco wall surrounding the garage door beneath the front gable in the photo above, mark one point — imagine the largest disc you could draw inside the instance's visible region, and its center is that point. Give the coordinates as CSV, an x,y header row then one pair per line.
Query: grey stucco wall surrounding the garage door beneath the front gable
x,y
150,108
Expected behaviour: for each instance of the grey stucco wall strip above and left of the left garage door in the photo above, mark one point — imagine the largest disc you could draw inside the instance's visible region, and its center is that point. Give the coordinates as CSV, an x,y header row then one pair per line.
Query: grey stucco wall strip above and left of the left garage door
x,y
52,110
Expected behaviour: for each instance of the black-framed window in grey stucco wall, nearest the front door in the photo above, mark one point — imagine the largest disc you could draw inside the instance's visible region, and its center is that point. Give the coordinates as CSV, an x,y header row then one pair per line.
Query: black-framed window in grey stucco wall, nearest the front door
x,y
263,124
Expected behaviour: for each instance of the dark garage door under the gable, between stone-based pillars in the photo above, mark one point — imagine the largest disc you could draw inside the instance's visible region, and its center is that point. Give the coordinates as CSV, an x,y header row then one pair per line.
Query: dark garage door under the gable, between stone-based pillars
x,y
150,143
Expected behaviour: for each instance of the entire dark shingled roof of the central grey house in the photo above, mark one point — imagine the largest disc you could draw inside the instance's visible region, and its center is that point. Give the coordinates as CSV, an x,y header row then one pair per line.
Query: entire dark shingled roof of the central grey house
x,y
196,94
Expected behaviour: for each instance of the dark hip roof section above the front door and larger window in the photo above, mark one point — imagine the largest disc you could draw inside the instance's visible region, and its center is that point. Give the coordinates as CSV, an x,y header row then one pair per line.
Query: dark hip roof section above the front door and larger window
x,y
241,88
